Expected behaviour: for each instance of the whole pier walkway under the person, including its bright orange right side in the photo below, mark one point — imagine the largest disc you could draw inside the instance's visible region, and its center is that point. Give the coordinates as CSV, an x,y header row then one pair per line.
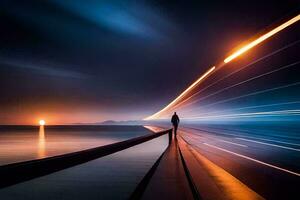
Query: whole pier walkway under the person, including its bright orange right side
x,y
183,173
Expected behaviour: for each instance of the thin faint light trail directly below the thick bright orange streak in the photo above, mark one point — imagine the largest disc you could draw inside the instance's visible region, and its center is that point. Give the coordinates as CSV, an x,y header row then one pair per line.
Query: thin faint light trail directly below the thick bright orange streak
x,y
236,71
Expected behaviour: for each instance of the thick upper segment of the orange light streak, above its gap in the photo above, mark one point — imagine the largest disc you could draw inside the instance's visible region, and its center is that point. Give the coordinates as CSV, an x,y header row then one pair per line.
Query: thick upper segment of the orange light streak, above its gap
x,y
262,38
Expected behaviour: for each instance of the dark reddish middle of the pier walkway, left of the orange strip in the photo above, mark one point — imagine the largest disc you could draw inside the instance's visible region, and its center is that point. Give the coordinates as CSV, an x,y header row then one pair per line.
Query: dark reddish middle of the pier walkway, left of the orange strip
x,y
169,178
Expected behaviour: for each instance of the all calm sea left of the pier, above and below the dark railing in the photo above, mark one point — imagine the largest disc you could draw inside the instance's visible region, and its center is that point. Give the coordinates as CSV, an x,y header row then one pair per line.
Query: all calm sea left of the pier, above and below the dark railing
x,y
111,177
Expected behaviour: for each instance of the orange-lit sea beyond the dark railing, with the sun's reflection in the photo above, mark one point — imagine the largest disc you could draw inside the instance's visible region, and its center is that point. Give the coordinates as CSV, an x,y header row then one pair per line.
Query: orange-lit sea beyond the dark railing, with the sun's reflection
x,y
21,143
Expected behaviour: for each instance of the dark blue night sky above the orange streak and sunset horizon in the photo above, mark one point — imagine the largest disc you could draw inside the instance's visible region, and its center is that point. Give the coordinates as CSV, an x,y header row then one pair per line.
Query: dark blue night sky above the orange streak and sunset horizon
x,y
78,61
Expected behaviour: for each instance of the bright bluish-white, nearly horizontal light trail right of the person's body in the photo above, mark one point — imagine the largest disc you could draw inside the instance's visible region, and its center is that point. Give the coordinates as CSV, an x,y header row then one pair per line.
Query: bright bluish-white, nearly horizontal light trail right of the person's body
x,y
246,115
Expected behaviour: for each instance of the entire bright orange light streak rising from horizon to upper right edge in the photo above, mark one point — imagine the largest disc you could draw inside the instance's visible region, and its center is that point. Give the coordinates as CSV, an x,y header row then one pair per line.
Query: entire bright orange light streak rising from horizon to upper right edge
x,y
228,59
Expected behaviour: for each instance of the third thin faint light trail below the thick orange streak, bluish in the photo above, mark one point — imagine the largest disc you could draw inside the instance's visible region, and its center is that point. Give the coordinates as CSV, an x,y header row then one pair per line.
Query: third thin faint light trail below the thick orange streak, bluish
x,y
251,94
